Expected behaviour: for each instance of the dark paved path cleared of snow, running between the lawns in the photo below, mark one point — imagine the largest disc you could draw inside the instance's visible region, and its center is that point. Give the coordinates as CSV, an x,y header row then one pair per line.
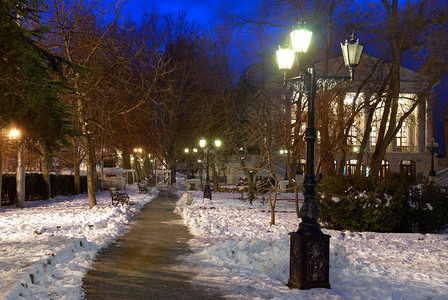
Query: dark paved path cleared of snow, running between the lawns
x,y
142,264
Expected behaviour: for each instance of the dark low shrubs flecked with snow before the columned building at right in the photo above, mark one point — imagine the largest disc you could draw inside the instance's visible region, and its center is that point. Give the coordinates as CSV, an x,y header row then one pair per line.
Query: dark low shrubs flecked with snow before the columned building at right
x,y
391,205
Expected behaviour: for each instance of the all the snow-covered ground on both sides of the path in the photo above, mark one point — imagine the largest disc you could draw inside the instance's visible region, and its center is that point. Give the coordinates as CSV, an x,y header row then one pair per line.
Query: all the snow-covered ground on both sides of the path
x,y
47,247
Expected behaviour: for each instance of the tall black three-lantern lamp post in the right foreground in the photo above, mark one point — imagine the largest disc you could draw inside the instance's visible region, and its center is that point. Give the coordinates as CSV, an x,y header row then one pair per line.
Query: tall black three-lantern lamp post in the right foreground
x,y
309,247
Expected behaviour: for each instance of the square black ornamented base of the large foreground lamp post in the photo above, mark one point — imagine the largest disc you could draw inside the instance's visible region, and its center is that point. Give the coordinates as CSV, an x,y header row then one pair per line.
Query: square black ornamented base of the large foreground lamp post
x,y
309,261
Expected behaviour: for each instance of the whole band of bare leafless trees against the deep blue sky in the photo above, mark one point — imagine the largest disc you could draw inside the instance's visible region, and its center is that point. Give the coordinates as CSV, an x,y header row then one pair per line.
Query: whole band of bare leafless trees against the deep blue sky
x,y
164,82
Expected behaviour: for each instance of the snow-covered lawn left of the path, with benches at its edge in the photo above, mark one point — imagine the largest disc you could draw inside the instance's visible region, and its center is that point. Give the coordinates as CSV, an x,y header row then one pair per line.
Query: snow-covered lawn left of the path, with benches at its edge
x,y
47,247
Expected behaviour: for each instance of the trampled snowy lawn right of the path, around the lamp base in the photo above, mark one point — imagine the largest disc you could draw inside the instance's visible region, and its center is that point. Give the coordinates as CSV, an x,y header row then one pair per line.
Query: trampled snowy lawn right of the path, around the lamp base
x,y
246,258
